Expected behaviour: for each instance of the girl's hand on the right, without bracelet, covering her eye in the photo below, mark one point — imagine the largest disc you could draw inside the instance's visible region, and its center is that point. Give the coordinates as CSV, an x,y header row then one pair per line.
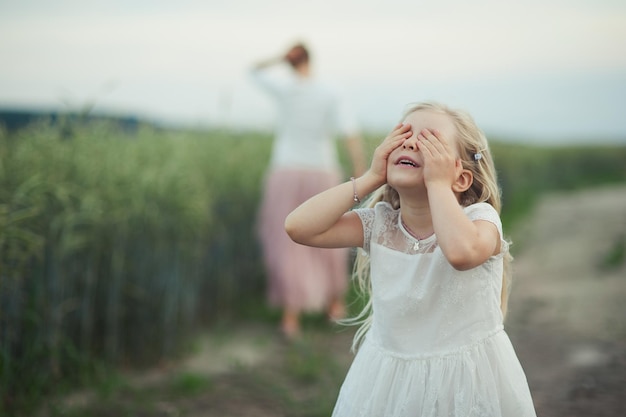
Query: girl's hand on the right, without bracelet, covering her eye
x,y
441,164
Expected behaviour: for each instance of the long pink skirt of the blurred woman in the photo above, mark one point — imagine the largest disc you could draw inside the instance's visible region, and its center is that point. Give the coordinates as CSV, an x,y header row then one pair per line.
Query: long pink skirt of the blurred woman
x,y
300,277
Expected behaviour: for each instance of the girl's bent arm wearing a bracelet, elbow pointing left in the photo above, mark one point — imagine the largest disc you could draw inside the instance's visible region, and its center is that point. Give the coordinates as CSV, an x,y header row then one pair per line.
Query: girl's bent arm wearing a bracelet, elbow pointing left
x,y
324,220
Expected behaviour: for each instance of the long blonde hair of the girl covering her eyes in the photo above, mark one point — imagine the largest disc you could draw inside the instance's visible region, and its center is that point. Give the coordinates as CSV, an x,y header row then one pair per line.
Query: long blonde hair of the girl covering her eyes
x,y
476,157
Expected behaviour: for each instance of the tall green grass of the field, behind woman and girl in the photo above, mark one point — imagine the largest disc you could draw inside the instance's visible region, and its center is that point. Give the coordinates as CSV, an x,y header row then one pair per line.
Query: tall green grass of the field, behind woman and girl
x,y
116,246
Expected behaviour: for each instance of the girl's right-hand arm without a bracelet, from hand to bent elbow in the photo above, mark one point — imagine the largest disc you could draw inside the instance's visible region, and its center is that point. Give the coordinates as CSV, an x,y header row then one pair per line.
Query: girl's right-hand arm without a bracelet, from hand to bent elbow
x,y
465,243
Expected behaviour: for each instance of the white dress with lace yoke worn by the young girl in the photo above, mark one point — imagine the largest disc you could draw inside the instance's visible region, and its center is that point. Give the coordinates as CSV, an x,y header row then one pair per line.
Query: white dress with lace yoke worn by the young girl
x,y
436,346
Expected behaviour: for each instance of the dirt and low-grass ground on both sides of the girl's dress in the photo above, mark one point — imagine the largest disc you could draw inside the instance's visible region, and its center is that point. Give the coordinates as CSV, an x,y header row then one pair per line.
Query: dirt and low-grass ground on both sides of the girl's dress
x,y
566,320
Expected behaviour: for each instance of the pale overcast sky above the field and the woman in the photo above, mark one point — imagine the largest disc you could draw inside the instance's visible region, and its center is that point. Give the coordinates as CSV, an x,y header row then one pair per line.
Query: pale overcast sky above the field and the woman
x,y
537,70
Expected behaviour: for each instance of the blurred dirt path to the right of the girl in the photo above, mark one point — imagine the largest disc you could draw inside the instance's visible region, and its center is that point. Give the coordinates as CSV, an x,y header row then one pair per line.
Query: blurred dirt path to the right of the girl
x,y
568,308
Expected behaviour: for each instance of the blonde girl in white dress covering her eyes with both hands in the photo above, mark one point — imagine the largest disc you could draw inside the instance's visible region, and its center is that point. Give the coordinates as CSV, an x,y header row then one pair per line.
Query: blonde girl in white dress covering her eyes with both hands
x,y
432,342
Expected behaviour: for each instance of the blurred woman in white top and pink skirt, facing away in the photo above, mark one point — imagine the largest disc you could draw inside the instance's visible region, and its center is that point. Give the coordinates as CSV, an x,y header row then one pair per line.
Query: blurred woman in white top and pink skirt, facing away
x,y
304,161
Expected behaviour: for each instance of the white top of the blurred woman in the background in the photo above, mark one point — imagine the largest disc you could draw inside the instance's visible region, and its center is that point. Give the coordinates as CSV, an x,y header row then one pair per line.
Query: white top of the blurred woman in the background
x,y
310,115
